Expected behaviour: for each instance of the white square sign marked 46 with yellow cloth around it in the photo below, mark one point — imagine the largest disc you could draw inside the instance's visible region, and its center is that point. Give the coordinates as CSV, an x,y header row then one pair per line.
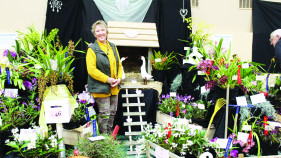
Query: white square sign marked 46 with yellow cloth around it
x,y
57,111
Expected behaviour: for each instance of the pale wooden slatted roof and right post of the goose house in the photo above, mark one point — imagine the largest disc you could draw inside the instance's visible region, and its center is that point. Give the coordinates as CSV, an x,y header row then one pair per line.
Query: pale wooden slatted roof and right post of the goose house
x,y
134,34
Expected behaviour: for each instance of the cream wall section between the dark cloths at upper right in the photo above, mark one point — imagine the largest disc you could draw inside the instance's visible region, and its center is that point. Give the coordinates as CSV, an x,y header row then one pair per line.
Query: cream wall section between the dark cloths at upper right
x,y
227,19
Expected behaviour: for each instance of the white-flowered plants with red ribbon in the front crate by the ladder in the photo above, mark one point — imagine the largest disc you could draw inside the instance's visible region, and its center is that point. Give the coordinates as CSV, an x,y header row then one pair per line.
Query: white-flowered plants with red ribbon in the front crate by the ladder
x,y
178,138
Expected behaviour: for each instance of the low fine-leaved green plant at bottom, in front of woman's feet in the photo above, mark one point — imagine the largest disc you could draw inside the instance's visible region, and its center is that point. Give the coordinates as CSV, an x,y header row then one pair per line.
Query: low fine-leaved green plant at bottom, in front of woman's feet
x,y
104,148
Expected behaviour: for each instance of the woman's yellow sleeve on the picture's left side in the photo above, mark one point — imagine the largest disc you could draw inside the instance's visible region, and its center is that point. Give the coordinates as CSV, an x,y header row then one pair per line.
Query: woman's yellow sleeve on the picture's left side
x,y
92,69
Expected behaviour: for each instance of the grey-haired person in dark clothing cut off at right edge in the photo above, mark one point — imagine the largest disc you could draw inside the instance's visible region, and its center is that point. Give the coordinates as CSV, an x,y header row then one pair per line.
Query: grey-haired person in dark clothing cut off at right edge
x,y
276,43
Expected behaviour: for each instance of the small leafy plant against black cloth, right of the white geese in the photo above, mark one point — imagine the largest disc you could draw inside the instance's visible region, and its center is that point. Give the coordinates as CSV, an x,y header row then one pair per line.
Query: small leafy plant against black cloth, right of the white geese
x,y
161,61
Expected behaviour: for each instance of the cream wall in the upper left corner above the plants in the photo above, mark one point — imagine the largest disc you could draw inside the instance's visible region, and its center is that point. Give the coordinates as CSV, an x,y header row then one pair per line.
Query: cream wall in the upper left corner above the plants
x,y
17,15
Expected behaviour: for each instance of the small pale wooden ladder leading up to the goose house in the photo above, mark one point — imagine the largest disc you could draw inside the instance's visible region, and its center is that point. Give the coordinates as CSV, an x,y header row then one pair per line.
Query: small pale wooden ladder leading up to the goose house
x,y
129,120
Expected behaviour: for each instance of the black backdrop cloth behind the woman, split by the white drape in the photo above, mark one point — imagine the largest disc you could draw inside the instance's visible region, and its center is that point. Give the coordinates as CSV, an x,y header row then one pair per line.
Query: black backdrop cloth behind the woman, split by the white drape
x,y
75,18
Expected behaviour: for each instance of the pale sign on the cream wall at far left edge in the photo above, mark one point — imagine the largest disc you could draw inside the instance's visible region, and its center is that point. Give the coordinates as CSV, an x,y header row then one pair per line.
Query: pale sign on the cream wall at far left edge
x,y
7,40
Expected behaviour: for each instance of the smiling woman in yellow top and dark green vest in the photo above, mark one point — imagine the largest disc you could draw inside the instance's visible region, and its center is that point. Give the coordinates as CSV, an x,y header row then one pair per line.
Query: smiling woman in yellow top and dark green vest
x,y
104,75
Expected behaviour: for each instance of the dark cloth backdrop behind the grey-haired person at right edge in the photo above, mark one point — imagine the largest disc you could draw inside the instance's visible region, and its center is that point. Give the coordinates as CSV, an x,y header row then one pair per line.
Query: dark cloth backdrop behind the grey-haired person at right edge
x,y
266,18
